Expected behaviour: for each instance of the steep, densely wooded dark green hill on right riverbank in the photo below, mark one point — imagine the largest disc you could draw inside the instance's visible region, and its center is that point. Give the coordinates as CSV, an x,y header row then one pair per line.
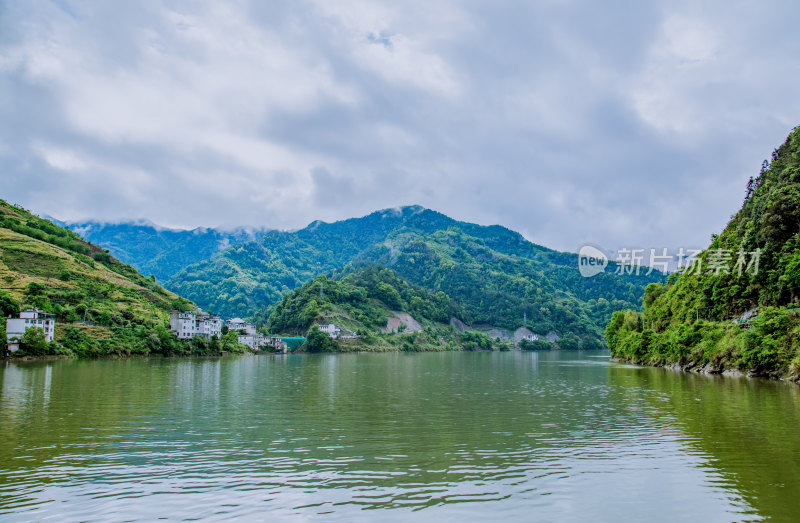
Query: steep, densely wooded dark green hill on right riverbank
x,y
737,307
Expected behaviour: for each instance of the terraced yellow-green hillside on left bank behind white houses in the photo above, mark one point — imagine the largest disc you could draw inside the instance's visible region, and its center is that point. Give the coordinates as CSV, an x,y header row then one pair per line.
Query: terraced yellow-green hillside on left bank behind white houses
x,y
120,311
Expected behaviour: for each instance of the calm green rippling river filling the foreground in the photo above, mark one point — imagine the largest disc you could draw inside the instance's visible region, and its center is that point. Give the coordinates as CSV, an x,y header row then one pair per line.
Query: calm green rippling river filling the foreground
x,y
433,436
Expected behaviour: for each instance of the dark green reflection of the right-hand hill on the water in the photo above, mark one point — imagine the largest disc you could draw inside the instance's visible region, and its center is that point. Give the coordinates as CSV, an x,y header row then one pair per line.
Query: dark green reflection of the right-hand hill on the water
x,y
749,428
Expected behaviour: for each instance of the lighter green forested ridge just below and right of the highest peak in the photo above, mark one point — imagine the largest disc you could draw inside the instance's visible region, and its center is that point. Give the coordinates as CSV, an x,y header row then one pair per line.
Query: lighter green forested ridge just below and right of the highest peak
x,y
501,287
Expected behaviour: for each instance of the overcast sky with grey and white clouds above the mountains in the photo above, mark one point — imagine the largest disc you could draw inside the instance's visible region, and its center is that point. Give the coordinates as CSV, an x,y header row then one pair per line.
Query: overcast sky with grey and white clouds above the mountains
x,y
615,123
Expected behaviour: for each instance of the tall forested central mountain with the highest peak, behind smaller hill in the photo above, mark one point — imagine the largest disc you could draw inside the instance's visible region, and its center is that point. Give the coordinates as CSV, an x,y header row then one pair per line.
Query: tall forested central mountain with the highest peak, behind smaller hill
x,y
493,273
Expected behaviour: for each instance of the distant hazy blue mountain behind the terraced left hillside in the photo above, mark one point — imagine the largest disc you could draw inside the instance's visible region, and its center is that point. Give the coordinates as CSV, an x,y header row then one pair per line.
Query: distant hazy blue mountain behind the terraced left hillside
x,y
157,251
